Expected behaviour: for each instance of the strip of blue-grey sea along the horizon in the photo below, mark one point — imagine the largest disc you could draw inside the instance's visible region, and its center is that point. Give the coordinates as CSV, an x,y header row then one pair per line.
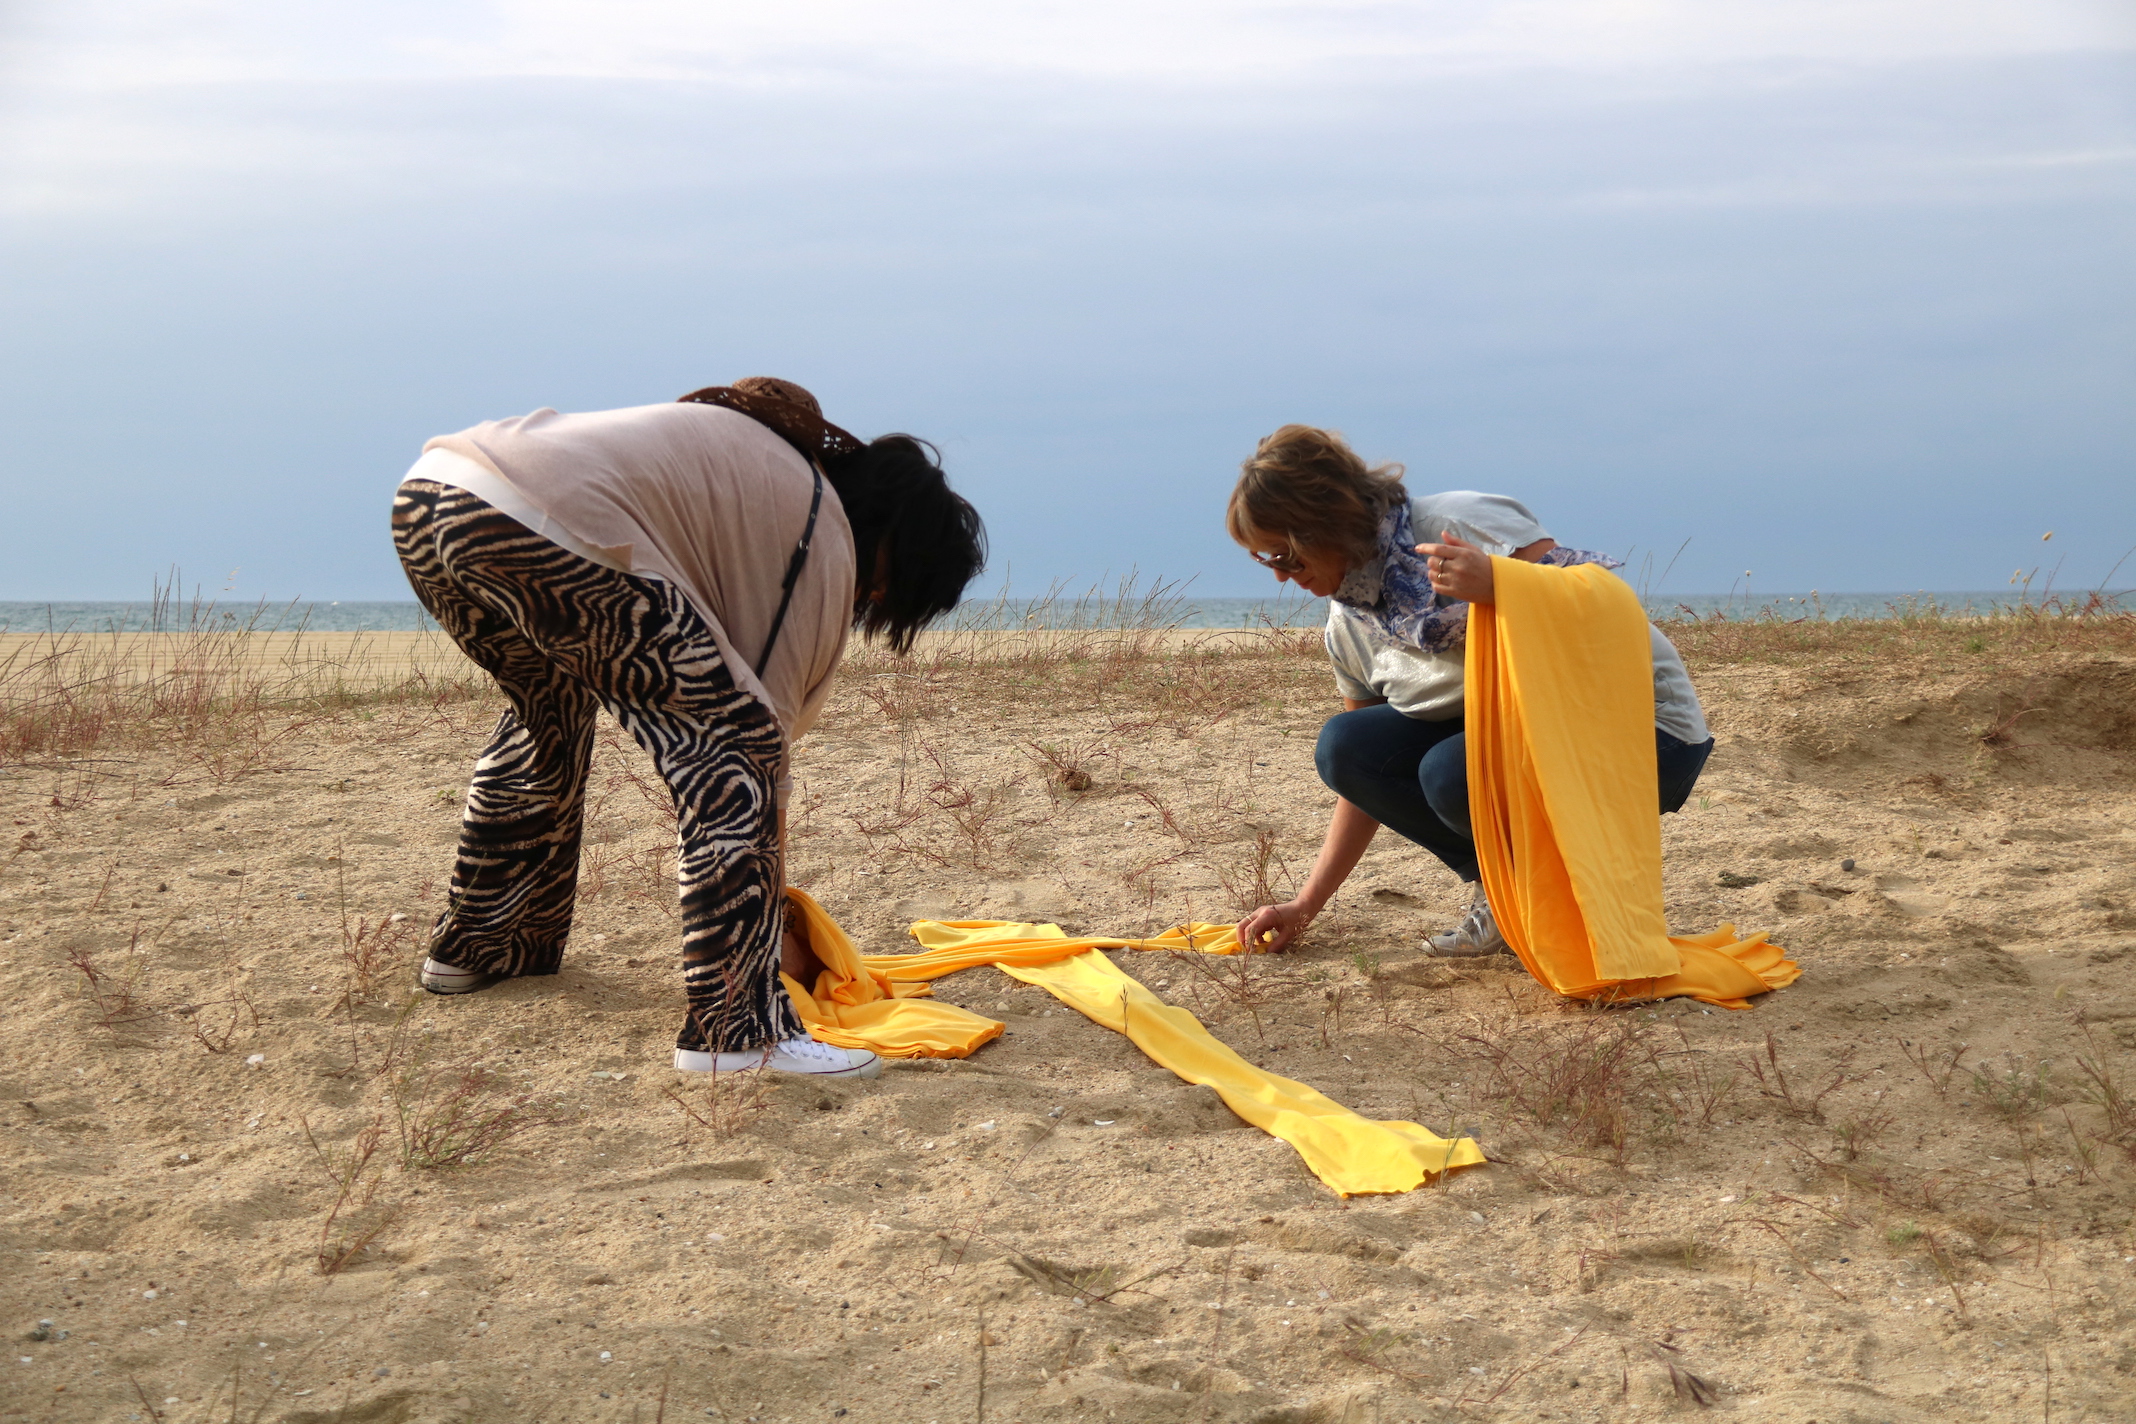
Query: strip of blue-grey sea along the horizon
x,y
1159,612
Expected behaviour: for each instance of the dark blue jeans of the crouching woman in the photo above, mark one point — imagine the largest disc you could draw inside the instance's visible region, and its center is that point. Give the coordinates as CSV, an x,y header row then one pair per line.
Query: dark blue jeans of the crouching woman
x,y
1413,776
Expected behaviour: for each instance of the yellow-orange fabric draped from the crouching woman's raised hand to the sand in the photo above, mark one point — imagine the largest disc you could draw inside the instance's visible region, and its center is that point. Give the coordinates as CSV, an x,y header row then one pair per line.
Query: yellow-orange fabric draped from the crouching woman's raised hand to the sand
x,y
1565,800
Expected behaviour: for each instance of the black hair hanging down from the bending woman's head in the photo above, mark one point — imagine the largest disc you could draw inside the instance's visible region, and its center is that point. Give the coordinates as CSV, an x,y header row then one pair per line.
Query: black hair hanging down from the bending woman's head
x,y
911,531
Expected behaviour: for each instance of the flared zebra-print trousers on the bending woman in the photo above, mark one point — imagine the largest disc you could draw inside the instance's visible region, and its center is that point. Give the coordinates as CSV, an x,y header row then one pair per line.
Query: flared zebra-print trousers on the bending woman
x,y
567,637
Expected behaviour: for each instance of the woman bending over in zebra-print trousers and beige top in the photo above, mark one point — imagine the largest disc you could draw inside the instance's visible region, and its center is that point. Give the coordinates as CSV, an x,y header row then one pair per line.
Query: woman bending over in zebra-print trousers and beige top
x,y
691,569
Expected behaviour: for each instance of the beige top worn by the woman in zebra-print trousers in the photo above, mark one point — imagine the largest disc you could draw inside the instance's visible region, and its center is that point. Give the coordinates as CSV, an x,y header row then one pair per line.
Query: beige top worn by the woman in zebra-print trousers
x,y
700,496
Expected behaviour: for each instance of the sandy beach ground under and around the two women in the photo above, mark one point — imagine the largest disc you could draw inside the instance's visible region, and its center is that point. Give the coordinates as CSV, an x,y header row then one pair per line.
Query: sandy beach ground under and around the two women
x,y
1772,1216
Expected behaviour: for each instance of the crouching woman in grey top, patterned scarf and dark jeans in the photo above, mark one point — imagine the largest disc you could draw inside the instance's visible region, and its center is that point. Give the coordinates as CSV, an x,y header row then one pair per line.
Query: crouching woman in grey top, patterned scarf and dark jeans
x,y
1310,511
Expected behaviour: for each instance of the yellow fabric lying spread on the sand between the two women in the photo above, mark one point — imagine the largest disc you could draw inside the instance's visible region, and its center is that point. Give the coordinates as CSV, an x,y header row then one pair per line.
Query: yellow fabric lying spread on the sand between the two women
x,y
875,1002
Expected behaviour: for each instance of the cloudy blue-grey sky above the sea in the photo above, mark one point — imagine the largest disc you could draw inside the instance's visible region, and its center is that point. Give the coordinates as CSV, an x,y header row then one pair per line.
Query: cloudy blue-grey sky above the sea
x,y
1832,294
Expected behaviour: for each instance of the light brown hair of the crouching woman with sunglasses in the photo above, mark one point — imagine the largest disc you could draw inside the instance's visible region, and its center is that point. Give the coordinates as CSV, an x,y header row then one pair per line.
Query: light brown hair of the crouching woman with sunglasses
x,y
1308,486
